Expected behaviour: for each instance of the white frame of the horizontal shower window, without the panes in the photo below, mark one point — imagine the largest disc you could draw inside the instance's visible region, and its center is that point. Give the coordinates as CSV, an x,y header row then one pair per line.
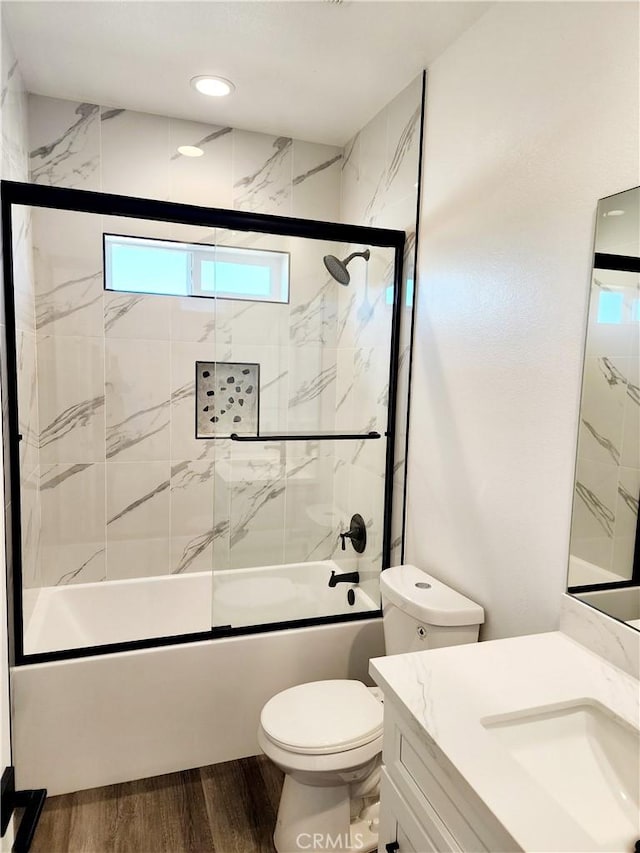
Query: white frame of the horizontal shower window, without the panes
x,y
278,263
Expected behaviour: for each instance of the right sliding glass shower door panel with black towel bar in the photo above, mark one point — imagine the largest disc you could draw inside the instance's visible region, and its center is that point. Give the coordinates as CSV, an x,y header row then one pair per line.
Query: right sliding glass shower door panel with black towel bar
x,y
291,482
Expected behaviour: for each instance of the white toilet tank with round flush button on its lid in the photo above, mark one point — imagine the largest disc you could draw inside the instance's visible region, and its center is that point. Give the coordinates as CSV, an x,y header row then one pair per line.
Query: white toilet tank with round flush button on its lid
x,y
419,612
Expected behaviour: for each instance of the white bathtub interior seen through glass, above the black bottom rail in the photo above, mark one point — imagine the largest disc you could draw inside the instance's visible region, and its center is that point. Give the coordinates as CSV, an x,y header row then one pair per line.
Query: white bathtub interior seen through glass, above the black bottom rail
x,y
94,614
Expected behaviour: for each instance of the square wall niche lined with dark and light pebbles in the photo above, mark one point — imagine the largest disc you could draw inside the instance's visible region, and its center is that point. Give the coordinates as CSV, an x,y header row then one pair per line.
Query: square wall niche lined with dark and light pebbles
x,y
227,398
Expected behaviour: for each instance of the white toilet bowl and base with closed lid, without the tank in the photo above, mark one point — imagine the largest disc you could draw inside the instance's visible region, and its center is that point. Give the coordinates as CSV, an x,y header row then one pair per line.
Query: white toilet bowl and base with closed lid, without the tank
x,y
327,738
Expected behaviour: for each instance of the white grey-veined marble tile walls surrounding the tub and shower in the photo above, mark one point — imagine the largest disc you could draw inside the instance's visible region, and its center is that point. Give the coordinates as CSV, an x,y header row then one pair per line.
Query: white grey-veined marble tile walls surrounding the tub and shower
x,y
119,427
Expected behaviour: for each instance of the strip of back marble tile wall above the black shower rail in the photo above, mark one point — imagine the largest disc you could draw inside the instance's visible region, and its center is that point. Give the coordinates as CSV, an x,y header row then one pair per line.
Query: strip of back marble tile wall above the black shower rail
x,y
120,151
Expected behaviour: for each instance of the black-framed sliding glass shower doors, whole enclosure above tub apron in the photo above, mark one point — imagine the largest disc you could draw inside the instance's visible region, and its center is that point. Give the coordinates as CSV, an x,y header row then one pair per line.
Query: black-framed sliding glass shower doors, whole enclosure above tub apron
x,y
129,527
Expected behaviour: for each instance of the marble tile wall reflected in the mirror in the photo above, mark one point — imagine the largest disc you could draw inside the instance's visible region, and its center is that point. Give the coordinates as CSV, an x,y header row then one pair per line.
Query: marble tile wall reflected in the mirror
x,y
605,512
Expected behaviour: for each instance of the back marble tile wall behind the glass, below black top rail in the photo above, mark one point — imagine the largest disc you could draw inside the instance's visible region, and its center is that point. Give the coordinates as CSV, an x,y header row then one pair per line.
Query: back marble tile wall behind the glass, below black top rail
x,y
117,416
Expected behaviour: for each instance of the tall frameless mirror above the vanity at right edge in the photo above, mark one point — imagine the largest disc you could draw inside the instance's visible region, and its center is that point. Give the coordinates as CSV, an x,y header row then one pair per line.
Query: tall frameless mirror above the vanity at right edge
x,y
604,561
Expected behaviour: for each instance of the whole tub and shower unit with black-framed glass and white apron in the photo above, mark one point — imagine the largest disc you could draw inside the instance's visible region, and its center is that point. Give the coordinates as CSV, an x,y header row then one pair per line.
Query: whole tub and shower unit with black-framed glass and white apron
x,y
274,404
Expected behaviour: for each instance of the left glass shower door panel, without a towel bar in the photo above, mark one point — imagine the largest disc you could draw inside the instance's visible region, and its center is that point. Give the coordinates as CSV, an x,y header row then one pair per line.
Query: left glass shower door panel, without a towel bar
x,y
114,487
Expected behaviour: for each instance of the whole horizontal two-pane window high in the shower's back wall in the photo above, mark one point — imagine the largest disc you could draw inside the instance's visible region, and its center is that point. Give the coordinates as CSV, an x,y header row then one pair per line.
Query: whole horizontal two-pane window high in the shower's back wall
x,y
170,268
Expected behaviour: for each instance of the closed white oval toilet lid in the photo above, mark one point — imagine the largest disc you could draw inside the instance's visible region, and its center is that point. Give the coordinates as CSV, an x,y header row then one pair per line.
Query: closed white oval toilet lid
x,y
322,717
